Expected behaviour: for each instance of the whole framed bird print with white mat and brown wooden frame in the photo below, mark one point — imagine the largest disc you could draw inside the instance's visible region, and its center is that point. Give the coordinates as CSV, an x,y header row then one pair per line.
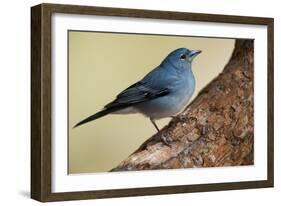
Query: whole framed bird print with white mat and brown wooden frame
x,y
130,102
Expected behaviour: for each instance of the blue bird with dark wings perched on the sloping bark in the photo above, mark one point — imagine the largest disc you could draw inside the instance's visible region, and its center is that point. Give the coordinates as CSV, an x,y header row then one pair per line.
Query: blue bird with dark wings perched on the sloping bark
x,y
163,92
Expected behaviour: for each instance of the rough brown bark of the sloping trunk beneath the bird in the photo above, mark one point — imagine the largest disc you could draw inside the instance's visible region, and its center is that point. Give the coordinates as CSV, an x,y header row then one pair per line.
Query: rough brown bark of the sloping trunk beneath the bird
x,y
216,129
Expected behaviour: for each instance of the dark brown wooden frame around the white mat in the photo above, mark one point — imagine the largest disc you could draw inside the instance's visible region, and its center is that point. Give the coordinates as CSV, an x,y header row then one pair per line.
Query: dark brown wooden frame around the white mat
x,y
41,101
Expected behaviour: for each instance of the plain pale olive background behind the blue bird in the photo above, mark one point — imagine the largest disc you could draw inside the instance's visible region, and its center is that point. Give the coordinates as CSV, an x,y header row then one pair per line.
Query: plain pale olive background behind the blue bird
x,y
103,64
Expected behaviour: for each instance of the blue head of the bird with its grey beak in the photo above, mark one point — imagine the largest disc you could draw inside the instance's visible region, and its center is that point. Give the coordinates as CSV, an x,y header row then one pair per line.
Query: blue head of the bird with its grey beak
x,y
182,57
